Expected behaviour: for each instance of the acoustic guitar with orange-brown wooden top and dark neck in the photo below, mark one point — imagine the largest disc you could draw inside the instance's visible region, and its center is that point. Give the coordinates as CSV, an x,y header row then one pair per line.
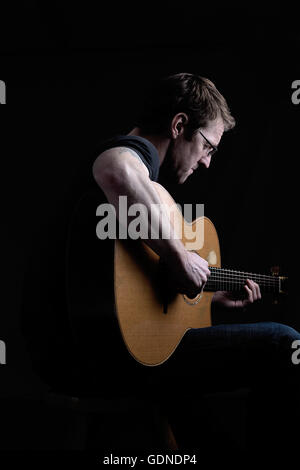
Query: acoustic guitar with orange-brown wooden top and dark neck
x,y
151,316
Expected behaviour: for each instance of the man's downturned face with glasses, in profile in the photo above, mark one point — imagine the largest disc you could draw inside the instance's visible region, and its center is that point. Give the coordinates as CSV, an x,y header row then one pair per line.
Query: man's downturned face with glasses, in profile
x,y
187,156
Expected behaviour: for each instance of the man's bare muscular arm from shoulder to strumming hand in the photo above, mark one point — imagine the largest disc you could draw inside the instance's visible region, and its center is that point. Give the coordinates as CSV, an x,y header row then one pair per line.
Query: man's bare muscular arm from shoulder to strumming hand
x,y
120,171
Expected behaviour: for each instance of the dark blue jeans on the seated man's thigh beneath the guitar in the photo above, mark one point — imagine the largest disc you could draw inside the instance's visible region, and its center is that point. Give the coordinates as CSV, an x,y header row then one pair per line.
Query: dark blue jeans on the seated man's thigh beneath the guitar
x,y
247,349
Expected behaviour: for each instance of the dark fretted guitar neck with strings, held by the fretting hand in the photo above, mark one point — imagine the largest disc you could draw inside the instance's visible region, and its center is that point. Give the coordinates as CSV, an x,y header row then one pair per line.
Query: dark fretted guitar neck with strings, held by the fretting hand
x,y
230,280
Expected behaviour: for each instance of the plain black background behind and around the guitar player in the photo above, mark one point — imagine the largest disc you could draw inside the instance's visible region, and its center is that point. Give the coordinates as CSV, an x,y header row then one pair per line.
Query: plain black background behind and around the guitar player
x,y
73,72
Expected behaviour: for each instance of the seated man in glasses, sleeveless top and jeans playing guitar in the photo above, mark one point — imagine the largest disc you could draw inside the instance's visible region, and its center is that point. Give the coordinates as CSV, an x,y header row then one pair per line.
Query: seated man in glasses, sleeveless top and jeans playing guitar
x,y
180,126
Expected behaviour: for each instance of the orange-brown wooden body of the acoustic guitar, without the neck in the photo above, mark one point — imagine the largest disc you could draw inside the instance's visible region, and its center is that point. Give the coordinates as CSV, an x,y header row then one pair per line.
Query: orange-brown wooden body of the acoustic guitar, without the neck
x,y
153,319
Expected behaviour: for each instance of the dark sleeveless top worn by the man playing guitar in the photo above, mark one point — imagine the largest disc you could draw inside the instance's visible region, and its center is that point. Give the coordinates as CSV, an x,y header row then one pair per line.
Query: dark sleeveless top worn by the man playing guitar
x,y
90,275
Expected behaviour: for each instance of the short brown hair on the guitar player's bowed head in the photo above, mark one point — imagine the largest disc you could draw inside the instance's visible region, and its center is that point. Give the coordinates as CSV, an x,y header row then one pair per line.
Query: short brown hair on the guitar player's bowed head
x,y
196,96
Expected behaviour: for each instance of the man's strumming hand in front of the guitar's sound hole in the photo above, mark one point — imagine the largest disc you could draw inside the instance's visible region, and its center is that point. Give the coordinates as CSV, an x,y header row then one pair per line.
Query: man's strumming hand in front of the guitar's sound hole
x,y
188,273
